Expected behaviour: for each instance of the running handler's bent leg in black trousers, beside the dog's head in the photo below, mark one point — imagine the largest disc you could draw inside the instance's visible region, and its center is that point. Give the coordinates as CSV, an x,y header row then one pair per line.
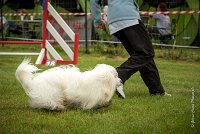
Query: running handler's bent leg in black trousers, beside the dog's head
x,y
137,43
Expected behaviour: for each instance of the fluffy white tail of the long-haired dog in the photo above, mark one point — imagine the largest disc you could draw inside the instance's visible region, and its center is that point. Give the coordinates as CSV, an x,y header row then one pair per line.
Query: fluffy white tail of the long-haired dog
x,y
24,72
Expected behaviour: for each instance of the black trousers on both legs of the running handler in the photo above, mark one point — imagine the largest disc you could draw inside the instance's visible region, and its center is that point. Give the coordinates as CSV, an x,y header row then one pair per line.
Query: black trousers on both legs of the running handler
x,y
137,42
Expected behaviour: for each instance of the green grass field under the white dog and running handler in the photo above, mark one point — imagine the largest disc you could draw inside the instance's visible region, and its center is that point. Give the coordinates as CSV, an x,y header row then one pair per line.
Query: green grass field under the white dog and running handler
x,y
138,113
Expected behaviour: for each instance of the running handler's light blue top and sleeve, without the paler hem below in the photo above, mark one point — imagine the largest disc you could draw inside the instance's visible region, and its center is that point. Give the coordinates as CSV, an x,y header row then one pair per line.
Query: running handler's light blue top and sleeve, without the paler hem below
x,y
118,10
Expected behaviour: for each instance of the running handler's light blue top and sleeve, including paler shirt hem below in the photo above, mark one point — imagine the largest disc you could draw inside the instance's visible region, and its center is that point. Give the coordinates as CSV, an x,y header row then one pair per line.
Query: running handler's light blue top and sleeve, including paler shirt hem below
x,y
121,14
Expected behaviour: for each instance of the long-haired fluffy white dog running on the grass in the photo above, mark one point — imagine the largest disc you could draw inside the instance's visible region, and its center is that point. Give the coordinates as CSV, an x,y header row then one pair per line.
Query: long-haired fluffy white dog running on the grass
x,y
62,87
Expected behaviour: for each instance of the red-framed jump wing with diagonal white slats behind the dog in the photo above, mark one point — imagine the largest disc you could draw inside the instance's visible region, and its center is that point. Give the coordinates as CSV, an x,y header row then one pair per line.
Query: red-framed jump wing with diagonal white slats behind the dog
x,y
47,48
